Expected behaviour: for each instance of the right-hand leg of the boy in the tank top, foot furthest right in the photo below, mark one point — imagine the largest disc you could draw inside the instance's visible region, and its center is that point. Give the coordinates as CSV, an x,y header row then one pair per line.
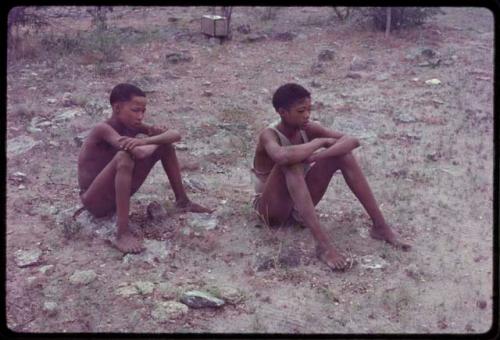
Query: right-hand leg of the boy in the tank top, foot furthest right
x,y
322,172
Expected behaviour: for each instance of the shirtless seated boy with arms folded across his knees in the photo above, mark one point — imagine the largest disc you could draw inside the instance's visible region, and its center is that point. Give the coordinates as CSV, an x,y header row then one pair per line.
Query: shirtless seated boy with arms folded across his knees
x,y
113,164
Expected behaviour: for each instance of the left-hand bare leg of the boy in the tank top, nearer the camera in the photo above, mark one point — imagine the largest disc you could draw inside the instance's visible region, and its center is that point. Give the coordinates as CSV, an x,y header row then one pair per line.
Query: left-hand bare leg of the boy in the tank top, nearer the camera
x,y
286,187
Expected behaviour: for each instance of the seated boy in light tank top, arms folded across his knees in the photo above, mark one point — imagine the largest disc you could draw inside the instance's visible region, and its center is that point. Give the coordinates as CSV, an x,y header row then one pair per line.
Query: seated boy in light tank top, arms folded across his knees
x,y
294,162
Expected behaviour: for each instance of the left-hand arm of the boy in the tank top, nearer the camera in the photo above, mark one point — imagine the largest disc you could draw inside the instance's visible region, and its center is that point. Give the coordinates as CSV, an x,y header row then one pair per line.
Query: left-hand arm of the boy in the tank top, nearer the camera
x,y
285,155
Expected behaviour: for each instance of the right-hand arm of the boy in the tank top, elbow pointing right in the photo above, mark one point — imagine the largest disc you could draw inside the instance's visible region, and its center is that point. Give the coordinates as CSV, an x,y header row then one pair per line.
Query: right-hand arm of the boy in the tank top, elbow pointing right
x,y
342,144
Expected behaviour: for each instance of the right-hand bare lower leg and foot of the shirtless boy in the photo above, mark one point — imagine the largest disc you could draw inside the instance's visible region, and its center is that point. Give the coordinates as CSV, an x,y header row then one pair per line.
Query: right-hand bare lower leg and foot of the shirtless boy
x,y
171,166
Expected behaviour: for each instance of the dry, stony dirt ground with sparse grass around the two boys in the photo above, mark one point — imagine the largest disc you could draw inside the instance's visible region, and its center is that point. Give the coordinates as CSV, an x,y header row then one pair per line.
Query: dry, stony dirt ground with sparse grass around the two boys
x,y
427,151
